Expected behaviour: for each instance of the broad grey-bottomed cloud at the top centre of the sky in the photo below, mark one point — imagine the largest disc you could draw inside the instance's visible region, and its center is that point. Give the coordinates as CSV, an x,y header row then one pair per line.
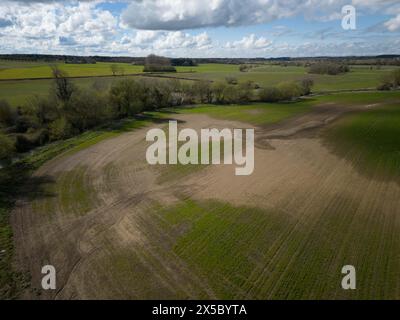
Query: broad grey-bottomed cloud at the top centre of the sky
x,y
189,14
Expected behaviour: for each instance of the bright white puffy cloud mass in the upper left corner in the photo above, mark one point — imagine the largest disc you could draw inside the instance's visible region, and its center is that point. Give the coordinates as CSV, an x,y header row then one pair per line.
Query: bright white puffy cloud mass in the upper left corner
x,y
55,24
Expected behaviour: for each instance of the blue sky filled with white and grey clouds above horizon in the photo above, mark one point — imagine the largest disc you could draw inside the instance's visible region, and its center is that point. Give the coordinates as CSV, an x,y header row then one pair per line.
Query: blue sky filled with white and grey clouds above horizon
x,y
199,28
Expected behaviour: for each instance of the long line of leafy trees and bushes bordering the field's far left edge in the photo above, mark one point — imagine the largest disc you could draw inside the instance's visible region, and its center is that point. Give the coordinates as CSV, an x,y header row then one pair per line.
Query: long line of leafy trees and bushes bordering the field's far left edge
x,y
69,110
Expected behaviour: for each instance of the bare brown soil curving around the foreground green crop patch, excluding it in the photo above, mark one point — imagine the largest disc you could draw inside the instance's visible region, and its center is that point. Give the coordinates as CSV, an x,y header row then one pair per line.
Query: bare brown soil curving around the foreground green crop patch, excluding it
x,y
294,174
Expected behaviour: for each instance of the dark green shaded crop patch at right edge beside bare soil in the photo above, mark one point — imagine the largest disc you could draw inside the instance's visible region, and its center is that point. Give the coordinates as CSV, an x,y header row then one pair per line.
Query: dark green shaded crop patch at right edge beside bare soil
x,y
370,140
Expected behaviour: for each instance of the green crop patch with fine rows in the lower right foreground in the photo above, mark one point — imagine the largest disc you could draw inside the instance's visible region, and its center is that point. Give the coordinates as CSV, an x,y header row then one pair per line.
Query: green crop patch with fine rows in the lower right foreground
x,y
245,252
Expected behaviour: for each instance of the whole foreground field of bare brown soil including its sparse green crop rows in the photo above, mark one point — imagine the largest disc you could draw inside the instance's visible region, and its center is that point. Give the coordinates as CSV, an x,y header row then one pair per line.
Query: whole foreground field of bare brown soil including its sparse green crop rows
x,y
114,229
